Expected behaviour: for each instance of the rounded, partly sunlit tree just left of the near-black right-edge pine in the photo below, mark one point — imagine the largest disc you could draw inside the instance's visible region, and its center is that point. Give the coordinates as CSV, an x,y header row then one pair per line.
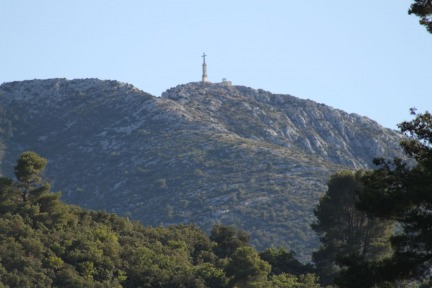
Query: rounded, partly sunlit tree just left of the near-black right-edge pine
x,y
343,229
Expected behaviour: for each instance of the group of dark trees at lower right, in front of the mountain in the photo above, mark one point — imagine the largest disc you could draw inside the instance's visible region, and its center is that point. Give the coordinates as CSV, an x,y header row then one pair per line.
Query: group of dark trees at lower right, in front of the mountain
x,y
359,247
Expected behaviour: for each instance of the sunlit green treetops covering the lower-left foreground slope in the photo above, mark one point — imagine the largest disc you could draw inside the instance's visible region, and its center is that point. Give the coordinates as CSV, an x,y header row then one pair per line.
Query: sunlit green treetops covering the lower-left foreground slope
x,y
46,243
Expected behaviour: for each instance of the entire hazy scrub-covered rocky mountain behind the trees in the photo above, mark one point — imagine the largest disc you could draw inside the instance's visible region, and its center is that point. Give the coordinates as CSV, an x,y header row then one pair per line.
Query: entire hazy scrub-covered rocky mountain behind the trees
x,y
202,153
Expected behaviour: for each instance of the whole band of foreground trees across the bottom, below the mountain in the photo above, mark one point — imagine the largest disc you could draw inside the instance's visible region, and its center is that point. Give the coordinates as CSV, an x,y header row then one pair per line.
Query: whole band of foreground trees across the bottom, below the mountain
x,y
374,229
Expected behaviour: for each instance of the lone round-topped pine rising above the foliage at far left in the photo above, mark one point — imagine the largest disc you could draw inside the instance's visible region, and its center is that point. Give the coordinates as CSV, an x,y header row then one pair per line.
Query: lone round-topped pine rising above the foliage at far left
x,y
27,171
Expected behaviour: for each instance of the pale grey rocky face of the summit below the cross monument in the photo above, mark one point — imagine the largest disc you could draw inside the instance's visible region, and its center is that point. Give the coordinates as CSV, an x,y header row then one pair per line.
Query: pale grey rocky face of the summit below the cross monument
x,y
287,121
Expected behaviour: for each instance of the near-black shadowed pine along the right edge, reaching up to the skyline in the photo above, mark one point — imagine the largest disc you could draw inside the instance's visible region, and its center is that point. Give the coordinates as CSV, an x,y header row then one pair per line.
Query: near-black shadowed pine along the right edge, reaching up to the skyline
x,y
403,193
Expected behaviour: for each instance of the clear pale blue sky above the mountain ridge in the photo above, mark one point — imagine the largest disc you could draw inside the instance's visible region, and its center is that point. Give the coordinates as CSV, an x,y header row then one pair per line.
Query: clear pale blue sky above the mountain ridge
x,y
366,57
